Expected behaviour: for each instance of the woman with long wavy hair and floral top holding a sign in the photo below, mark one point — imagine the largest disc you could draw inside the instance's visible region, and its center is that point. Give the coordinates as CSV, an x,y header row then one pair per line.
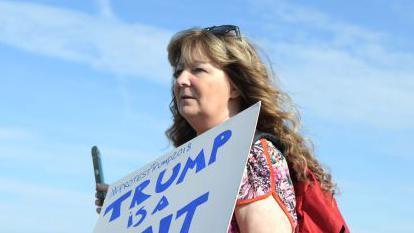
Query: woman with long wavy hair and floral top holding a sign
x,y
217,74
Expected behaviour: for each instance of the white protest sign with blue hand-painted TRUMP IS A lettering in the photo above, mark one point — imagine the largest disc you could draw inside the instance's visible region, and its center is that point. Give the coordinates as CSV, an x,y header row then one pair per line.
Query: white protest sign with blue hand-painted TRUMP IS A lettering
x,y
191,189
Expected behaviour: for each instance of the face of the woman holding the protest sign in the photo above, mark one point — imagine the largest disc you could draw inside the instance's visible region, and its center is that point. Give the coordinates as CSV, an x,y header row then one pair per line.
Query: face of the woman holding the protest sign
x,y
205,95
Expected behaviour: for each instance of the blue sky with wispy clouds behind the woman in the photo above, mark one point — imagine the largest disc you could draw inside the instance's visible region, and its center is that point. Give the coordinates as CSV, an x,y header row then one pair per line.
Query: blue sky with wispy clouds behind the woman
x,y
80,73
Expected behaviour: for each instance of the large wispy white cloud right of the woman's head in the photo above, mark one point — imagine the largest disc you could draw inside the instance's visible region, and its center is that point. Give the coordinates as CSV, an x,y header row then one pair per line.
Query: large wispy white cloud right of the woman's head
x,y
340,71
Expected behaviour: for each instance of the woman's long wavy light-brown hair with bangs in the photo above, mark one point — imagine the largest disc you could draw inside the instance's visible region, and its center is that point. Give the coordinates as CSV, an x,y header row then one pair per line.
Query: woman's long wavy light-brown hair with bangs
x,y
278,116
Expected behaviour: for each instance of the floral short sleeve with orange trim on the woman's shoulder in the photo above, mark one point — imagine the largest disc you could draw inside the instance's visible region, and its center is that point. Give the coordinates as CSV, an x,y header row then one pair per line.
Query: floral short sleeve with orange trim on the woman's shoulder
x,y
267,175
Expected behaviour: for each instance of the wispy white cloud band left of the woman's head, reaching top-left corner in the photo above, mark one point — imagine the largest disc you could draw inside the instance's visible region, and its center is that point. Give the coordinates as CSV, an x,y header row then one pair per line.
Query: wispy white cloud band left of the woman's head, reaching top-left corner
x,y
100,41
